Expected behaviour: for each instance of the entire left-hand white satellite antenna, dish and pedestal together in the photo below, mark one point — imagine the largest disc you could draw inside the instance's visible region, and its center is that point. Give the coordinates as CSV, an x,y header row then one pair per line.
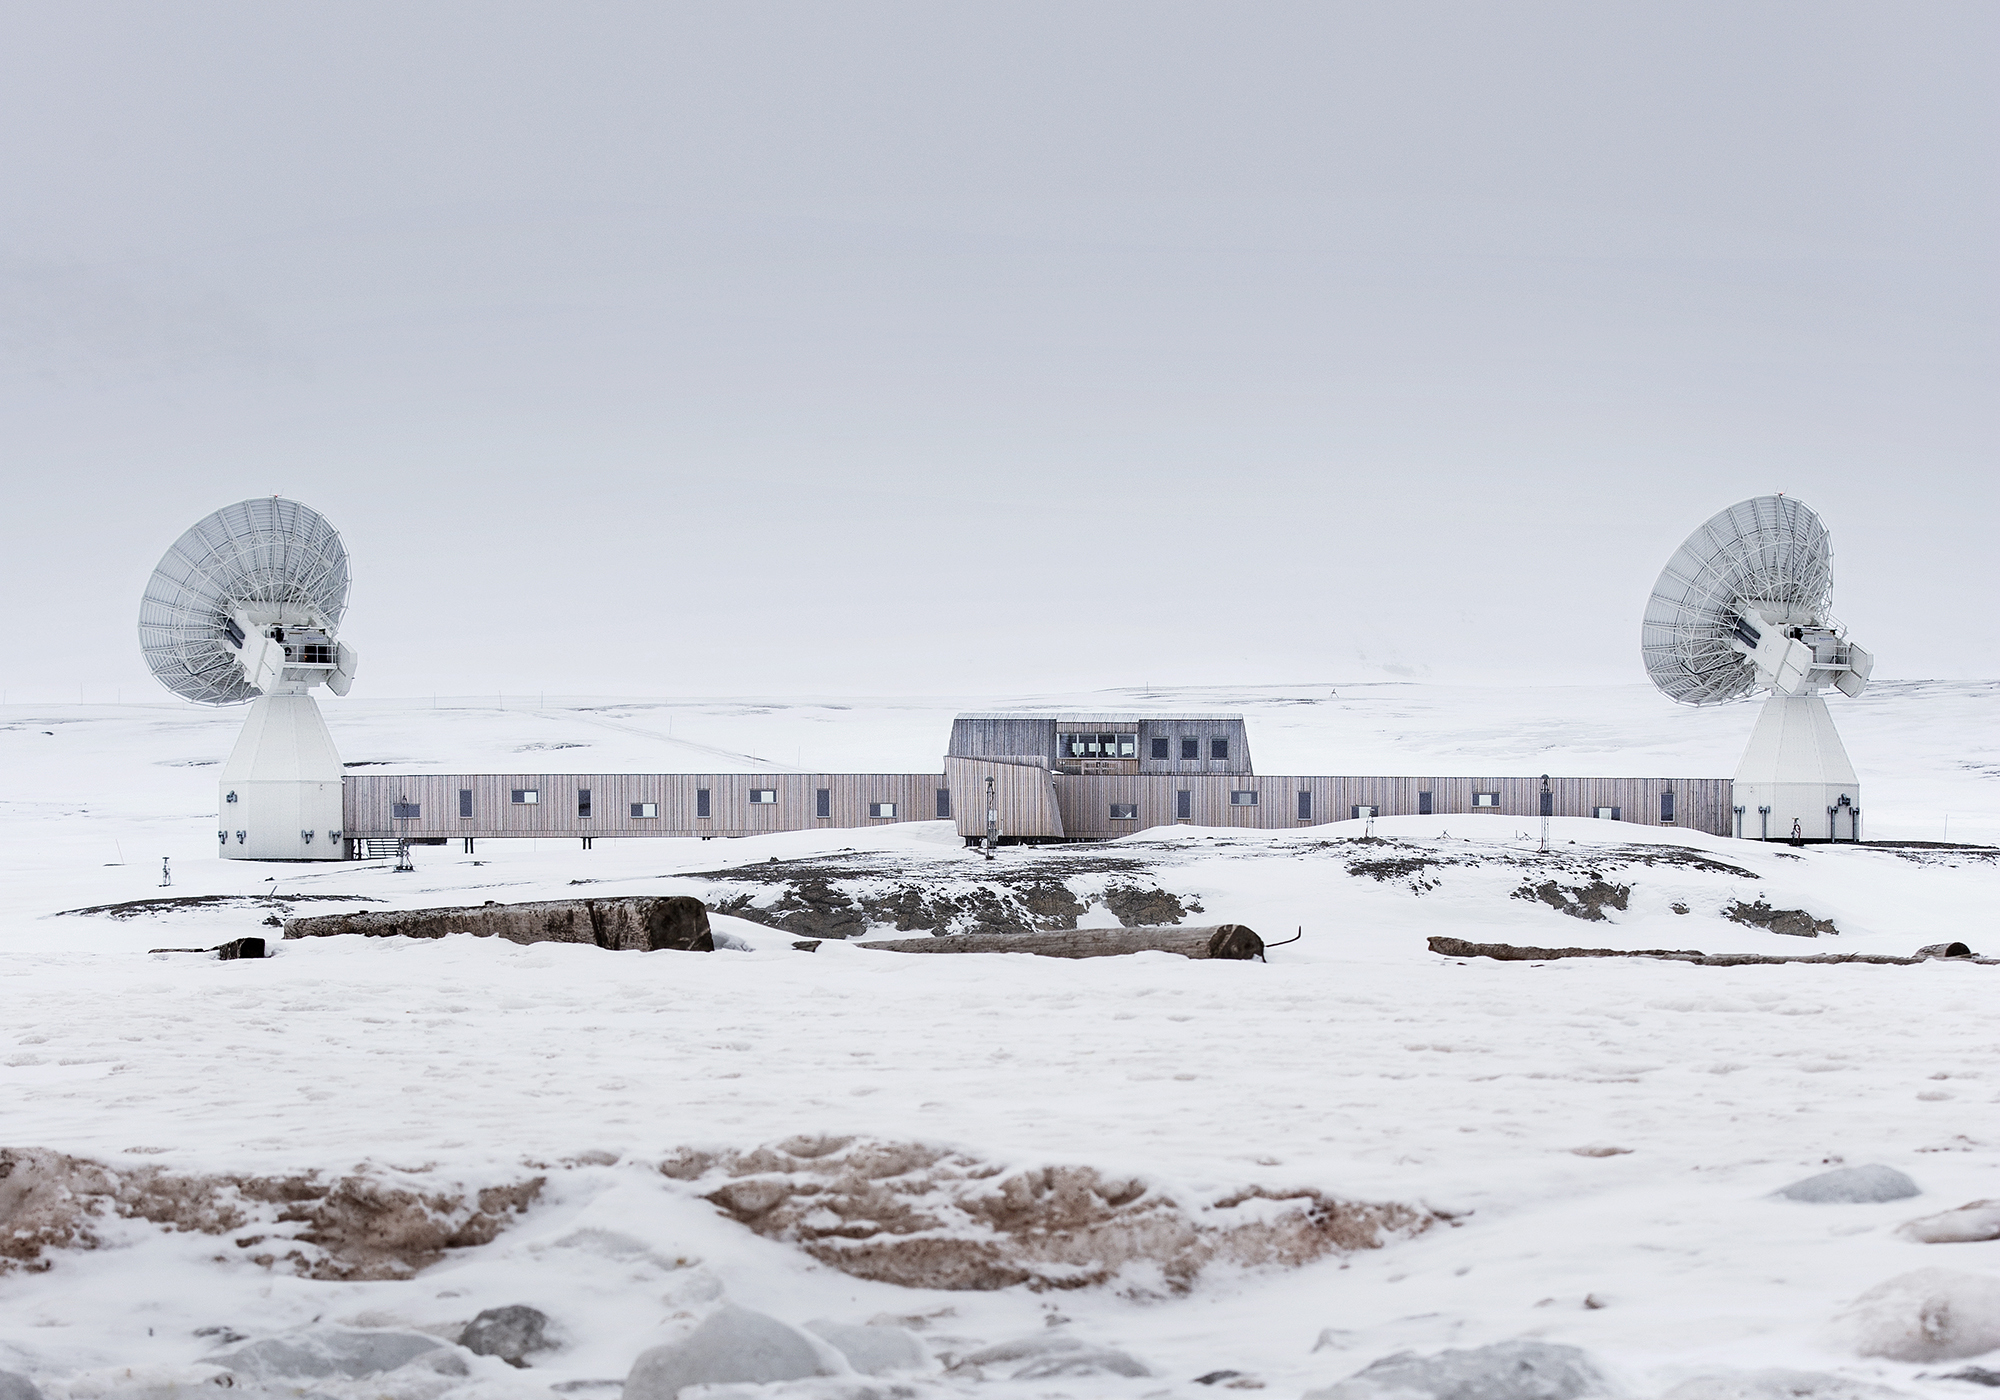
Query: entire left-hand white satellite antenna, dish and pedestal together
x,y
247,607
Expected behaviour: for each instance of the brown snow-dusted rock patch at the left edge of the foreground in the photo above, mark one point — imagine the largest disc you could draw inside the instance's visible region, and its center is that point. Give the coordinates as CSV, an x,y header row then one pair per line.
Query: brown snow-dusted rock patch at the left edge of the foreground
x,y
365,1225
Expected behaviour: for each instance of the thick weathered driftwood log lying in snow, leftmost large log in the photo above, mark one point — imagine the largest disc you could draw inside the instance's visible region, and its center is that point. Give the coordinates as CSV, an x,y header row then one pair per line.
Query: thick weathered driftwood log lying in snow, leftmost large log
x,y
645,923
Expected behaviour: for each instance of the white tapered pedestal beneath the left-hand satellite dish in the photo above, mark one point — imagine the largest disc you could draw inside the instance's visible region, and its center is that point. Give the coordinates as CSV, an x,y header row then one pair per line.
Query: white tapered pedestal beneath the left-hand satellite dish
x,y
281,789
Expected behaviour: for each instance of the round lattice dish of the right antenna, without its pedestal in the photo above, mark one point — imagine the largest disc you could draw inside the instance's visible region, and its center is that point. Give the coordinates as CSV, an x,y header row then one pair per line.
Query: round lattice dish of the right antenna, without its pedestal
x,y
1767,549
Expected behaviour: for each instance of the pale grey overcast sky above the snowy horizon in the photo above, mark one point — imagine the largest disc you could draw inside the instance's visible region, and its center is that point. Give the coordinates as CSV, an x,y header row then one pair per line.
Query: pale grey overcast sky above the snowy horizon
x,y
649,349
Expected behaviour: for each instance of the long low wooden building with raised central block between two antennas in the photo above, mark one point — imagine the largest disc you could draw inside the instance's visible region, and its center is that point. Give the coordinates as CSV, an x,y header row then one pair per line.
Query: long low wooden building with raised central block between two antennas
x,y
1027,777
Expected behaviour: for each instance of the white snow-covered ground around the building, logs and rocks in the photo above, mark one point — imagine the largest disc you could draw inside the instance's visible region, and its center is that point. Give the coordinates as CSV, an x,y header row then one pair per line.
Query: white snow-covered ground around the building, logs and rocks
x,y
1599,1139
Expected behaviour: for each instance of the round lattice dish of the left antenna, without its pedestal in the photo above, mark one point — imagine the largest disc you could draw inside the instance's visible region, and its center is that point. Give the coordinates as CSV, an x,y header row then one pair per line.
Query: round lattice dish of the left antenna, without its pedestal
x,y
265,551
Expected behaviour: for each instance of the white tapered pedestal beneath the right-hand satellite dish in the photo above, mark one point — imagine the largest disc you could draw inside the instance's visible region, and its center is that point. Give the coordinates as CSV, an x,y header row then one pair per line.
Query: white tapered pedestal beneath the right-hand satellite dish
x,y
1797,771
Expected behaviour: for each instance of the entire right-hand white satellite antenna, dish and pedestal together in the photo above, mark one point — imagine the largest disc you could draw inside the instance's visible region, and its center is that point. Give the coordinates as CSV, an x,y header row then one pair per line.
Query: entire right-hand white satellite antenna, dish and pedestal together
x,y
1743,607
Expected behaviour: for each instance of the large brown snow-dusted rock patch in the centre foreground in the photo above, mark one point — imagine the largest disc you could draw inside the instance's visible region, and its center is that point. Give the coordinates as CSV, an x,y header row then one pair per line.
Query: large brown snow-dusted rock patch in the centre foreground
x,y
925,1217
